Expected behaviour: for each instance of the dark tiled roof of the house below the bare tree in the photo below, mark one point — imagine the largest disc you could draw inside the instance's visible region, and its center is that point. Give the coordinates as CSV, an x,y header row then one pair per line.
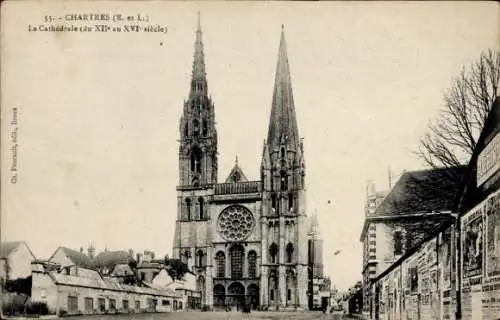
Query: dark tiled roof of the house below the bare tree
x,y
428,191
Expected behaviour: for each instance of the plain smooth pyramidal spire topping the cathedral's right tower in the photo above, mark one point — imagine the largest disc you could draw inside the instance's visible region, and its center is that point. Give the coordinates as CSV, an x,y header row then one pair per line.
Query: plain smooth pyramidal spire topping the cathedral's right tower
x,y
283,128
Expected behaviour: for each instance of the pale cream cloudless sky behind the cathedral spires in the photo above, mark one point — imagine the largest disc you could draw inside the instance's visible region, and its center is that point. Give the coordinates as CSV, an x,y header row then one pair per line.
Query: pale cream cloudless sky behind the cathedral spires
x,y
98,113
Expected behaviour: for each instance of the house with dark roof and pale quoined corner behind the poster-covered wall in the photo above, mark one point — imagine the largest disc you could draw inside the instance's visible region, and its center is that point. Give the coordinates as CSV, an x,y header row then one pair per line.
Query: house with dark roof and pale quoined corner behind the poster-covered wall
x,y
419,203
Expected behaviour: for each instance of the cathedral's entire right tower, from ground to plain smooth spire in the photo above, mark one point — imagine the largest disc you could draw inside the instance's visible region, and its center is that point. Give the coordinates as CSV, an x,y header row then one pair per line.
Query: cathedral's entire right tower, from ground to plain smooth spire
x,y
284,243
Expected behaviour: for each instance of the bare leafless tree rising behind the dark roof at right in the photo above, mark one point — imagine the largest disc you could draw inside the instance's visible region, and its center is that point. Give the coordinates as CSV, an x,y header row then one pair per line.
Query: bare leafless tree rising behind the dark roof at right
x,y
451,139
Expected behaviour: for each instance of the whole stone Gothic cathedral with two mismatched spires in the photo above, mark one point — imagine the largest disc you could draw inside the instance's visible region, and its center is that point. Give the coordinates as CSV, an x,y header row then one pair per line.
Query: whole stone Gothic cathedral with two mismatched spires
x,y
247,242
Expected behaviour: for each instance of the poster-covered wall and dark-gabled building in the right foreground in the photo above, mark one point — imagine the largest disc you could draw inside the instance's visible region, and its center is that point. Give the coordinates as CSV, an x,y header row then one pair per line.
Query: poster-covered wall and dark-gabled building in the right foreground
x,y
454,272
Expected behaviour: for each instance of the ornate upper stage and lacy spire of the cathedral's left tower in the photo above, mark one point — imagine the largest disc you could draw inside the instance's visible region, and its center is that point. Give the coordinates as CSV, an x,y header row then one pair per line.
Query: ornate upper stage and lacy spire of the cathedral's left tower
x,y
198,142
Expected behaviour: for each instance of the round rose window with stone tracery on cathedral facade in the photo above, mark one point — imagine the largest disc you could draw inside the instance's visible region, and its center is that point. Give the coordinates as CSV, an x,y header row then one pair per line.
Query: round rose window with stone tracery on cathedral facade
x,y
235,223
